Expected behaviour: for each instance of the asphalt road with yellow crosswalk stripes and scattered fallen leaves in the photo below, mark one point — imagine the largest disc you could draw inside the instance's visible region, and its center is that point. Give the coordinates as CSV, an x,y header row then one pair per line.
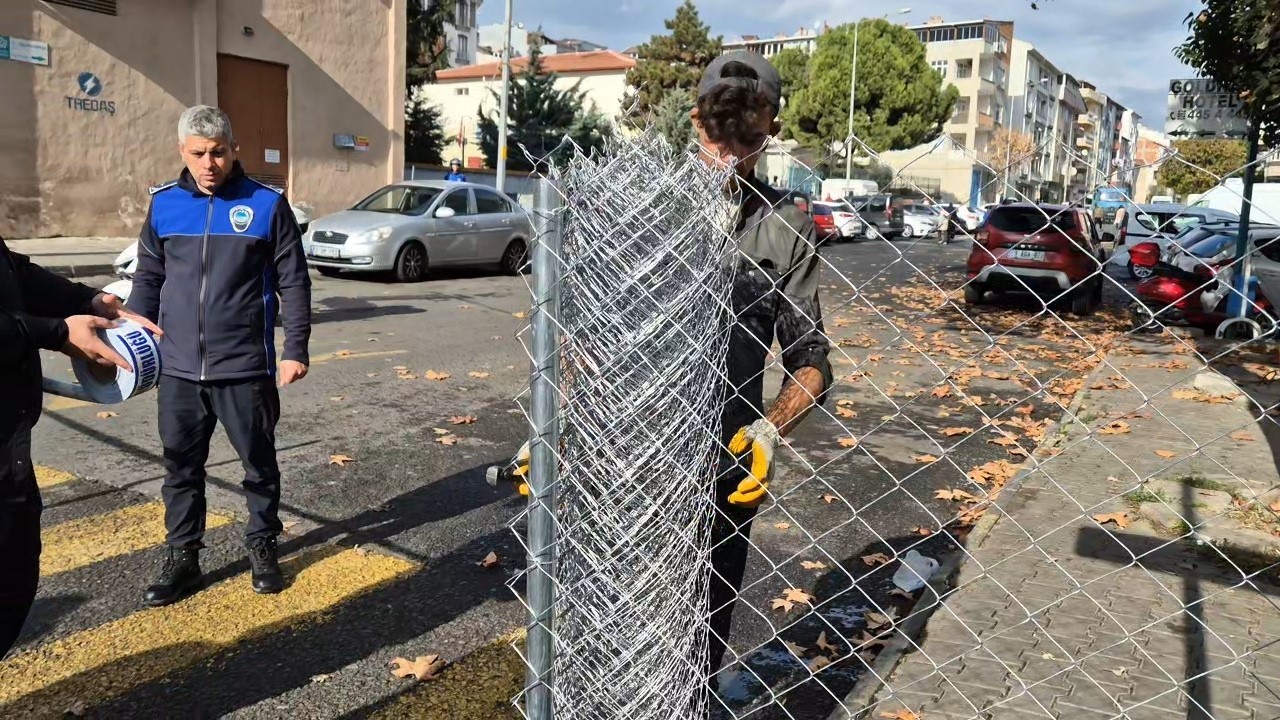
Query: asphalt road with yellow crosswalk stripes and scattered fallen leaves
x,y
387,548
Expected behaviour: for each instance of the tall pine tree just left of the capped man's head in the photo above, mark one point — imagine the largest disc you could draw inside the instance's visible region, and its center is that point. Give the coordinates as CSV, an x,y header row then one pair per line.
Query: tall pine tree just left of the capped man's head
x,y
671,62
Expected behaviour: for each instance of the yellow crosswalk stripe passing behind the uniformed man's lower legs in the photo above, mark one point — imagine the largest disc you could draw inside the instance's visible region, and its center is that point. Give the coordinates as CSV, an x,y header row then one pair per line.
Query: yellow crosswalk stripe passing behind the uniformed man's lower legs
x,y
85,541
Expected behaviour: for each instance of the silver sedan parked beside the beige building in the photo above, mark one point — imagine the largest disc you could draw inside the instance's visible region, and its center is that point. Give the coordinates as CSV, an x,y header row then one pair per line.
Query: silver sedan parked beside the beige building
x,y
414,226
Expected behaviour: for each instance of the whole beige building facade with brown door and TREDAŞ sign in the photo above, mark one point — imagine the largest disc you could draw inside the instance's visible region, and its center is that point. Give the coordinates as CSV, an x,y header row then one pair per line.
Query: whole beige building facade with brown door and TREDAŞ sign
x,y
92,124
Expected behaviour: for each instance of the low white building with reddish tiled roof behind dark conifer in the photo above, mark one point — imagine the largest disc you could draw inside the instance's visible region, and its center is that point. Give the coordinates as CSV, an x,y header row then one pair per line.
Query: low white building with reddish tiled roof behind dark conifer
x,y
463,94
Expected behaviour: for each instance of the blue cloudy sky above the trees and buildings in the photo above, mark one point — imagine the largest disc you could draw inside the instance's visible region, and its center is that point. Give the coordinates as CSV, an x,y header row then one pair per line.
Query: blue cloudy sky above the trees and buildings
x,y
1123,47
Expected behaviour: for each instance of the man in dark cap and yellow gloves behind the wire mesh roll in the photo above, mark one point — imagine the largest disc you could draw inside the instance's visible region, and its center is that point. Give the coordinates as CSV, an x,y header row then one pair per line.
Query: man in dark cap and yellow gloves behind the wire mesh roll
x,y
775,298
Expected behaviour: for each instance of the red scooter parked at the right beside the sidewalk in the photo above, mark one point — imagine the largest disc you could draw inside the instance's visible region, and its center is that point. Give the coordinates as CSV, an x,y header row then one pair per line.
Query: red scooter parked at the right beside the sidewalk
x,y
1197,298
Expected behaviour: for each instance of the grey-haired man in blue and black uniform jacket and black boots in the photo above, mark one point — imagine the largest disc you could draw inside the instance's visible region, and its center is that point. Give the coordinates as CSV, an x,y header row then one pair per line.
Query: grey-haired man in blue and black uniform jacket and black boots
x,y
218,253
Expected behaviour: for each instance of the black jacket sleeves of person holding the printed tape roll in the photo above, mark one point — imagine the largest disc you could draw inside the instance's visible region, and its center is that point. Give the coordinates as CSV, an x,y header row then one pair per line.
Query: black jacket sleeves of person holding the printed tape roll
x,y
48,299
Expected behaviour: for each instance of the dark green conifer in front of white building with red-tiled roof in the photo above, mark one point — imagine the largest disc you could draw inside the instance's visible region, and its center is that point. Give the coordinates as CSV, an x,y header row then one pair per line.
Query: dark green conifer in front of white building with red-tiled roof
x,y
540,119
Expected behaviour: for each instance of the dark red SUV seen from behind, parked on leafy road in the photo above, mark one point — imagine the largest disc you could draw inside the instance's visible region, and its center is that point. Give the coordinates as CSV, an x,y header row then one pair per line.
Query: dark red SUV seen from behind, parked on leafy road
x,y
1050,250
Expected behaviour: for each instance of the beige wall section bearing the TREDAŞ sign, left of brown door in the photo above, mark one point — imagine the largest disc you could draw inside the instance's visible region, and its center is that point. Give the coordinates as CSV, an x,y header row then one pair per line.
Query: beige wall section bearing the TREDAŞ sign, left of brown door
x,y
88,172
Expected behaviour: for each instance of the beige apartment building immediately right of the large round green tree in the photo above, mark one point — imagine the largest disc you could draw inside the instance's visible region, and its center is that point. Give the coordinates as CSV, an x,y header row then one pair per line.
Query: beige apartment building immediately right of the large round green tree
x,y
975,57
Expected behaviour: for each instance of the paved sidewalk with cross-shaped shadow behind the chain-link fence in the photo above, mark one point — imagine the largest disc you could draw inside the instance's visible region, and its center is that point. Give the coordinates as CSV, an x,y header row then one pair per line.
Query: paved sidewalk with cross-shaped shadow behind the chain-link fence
x,y
1058,614
